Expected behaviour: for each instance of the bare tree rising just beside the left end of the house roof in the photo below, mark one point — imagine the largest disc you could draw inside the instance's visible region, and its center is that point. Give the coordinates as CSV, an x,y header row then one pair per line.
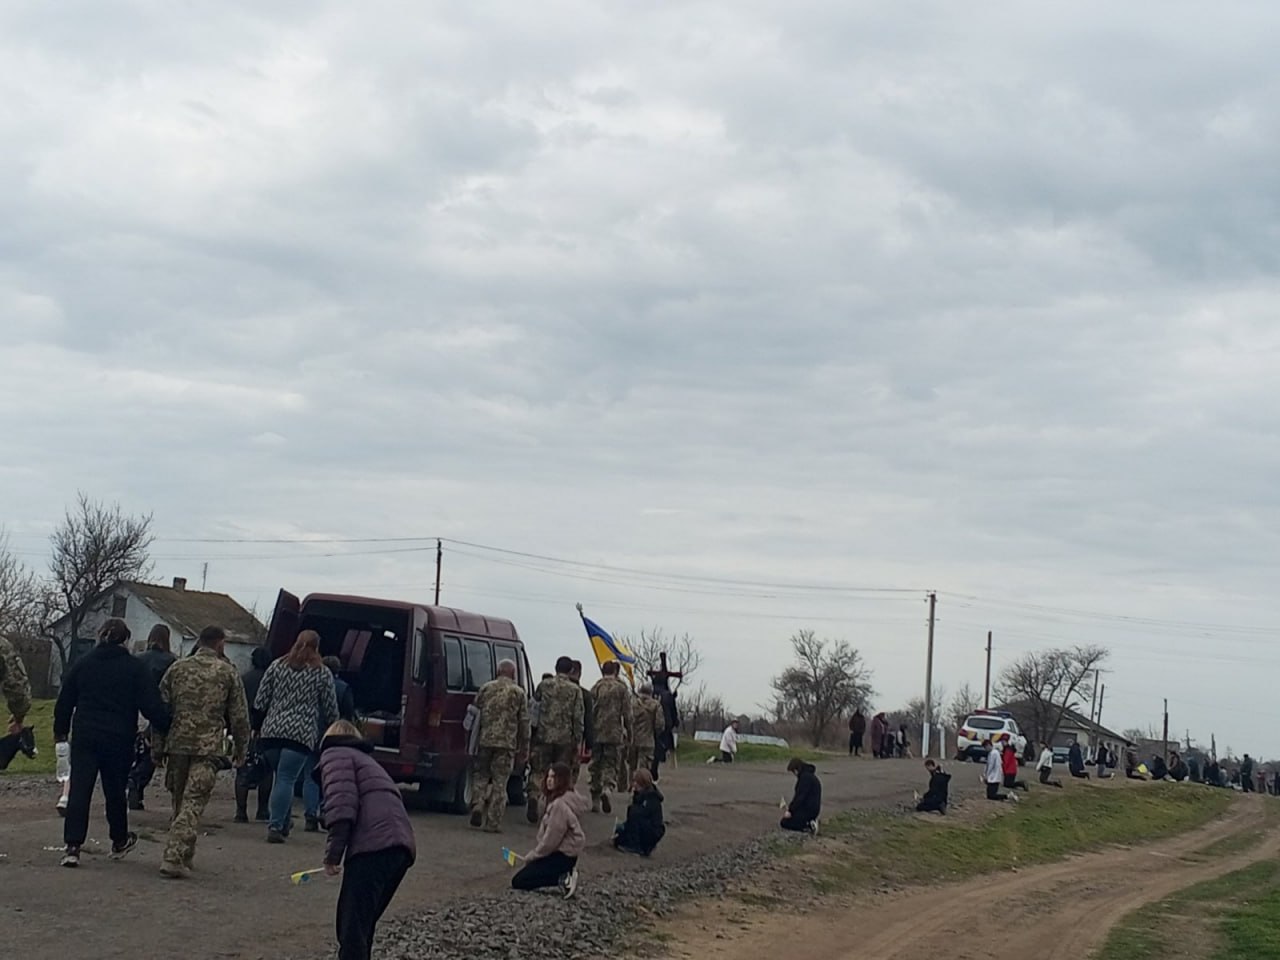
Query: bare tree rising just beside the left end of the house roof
x,y
93,548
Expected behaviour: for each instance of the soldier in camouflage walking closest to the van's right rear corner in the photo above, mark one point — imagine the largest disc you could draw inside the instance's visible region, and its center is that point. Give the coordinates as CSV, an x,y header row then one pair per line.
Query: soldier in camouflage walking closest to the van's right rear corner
x,y
504,740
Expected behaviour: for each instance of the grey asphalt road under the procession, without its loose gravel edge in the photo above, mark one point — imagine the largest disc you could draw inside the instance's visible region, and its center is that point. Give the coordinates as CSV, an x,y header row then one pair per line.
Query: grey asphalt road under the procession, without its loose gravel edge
x,y
240,903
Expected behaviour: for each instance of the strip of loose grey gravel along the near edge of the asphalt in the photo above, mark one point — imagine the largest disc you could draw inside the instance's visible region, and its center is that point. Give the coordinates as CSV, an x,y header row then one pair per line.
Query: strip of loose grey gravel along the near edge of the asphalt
x,y
511,926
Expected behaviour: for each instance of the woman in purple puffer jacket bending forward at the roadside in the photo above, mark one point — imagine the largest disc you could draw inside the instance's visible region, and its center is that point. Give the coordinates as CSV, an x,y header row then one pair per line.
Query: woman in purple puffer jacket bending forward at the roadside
x,y
368,830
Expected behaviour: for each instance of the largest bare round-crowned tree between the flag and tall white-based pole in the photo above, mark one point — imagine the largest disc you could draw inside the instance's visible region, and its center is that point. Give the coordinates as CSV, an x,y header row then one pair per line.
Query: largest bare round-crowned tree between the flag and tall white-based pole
x,y
828,682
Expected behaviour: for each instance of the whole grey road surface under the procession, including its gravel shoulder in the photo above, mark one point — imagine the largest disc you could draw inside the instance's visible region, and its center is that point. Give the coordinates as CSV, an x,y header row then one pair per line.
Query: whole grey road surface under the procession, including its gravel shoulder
x,y
240,904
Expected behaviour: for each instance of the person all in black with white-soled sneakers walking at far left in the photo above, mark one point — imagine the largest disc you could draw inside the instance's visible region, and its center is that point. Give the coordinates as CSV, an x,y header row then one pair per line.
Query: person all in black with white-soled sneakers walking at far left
x,y
98,707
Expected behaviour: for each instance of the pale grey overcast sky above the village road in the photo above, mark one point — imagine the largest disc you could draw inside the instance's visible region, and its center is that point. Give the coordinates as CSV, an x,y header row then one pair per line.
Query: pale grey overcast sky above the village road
x,y
839,295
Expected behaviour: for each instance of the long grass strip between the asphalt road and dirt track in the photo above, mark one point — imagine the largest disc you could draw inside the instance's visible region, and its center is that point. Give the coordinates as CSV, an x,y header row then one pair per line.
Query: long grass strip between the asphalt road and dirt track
x,y
1046,826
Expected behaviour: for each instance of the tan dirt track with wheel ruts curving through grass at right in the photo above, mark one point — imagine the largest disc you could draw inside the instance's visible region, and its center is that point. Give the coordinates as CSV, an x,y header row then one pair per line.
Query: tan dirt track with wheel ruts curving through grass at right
x,y
1059,912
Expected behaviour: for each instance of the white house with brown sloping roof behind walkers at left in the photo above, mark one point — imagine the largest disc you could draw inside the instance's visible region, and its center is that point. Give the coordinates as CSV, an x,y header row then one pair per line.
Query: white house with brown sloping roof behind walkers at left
x,y
185,612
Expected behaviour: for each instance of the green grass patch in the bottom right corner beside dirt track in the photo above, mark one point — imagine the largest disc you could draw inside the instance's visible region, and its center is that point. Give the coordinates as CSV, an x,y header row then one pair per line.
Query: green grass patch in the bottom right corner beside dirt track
x,y
1236,916
